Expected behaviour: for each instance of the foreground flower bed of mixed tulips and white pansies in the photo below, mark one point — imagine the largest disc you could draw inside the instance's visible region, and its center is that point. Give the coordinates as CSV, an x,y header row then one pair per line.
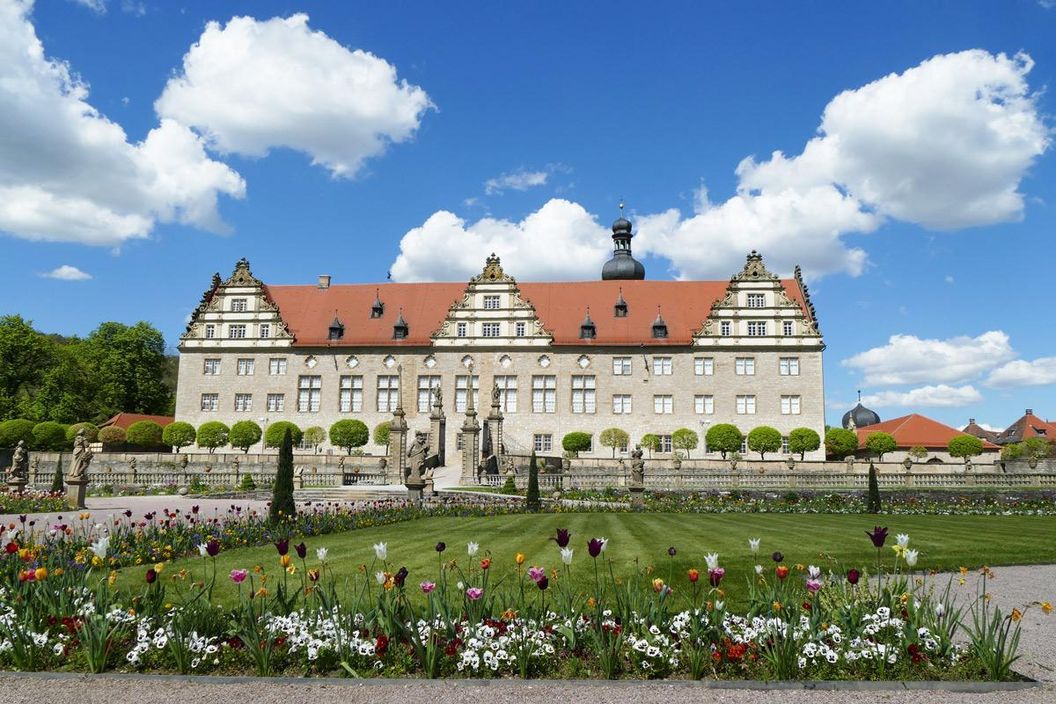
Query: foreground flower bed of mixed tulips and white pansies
x,y
487,616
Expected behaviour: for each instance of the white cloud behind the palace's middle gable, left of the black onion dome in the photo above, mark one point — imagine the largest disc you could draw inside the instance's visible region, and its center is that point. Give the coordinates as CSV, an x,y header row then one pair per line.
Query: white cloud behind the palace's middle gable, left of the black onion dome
x,y
561,241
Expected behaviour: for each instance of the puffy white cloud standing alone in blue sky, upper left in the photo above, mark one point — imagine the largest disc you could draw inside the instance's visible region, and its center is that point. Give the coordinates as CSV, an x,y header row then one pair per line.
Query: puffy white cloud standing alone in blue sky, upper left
x,y
254,86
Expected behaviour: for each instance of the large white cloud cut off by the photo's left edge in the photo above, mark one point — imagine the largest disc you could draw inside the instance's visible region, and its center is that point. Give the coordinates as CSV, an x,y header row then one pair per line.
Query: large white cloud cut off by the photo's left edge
x,y
69,175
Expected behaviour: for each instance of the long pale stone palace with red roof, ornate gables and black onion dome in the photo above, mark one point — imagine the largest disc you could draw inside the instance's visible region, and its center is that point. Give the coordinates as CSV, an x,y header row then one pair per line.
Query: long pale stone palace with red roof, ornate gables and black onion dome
x,y
623,352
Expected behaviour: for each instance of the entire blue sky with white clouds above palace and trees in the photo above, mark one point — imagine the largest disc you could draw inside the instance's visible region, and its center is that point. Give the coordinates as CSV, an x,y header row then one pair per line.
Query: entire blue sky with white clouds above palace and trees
x,y
922,217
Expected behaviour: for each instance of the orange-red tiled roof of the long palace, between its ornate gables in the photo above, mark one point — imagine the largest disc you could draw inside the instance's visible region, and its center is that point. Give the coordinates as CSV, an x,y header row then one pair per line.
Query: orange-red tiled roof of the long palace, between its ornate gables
x,y
561,307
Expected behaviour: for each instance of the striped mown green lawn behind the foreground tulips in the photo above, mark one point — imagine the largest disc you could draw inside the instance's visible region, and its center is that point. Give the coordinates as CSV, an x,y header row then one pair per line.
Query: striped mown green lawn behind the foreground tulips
x,y
946,543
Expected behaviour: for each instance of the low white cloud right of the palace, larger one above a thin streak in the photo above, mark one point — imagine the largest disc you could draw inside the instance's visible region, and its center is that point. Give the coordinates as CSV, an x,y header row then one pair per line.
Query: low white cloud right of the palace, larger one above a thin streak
x,y
908,359
